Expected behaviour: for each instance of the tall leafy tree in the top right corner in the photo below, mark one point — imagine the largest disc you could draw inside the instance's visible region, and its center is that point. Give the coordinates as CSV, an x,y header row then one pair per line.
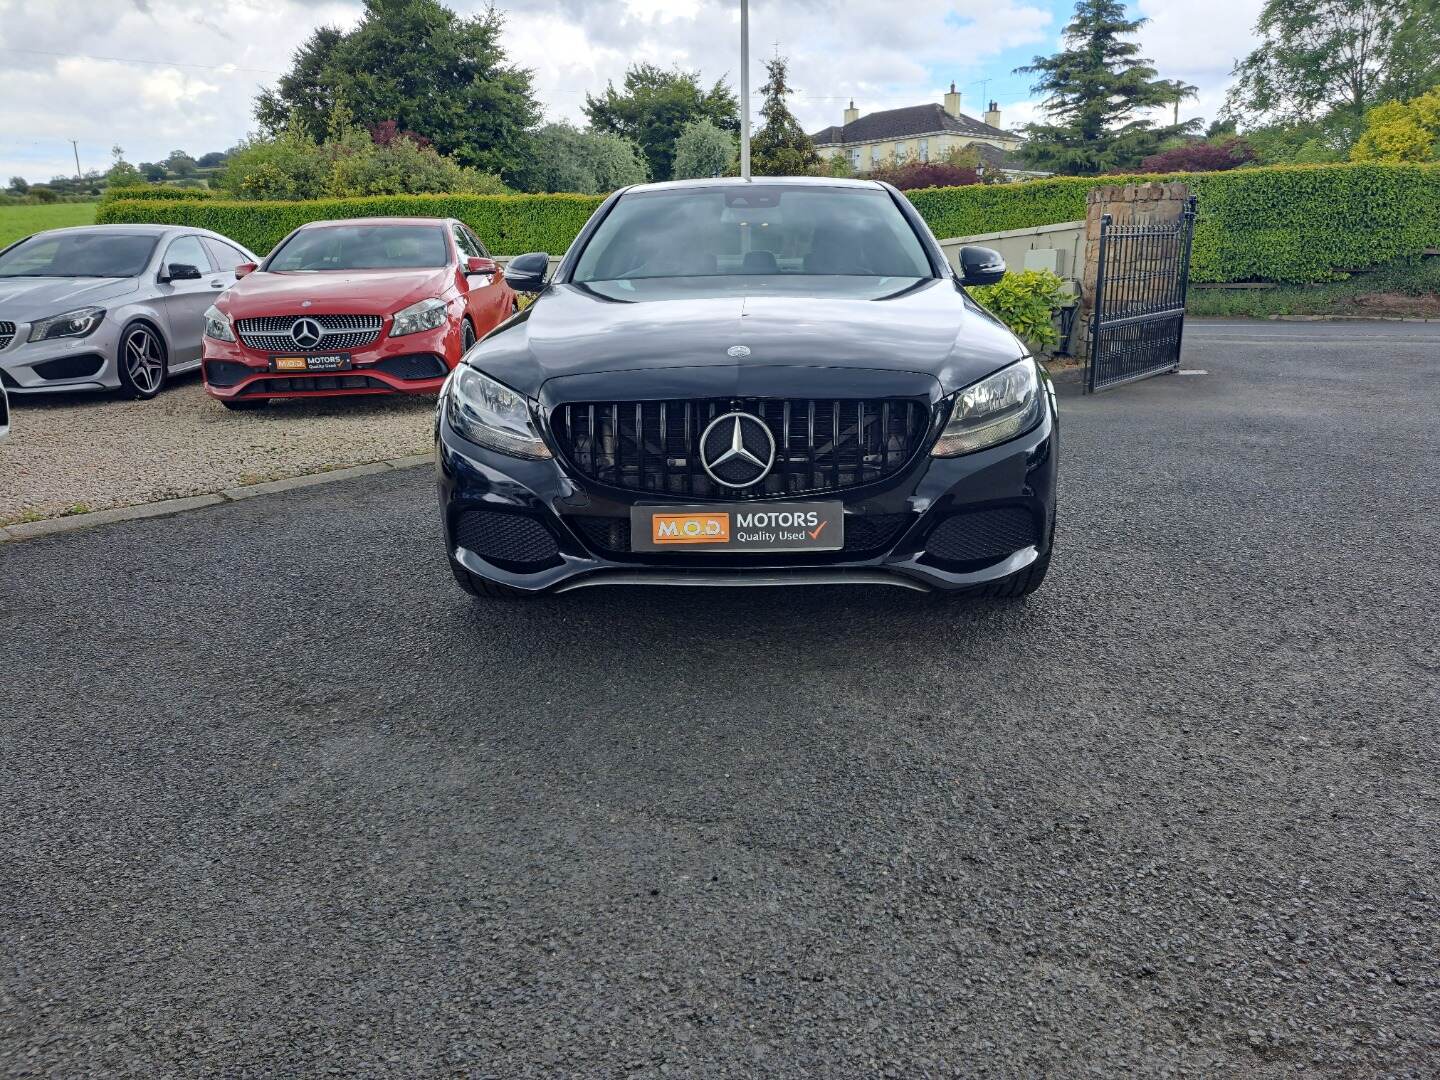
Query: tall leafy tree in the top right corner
x,y
1321,58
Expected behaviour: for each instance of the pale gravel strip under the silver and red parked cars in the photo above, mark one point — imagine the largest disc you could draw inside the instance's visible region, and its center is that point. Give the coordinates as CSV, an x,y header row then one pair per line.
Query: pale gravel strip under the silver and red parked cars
x,y
81,453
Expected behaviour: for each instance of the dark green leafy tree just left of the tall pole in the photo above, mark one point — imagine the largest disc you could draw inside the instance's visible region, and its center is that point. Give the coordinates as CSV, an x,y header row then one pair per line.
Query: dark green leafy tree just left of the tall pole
x,y
654,109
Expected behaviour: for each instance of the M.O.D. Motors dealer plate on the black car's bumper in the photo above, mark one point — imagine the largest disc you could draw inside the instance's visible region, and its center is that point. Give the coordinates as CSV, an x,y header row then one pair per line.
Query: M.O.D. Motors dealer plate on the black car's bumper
x,y
739,528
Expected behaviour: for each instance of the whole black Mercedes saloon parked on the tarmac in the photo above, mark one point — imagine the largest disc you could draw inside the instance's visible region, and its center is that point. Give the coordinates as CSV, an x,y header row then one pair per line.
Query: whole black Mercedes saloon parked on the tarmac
x,y
768,382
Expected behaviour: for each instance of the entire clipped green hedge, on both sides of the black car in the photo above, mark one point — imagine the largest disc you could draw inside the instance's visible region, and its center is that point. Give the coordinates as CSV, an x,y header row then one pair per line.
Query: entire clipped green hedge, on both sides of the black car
x,y
1292,224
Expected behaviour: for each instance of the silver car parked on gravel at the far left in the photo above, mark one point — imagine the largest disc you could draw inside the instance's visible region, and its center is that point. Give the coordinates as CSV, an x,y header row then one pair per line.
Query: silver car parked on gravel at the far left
x,y
106,307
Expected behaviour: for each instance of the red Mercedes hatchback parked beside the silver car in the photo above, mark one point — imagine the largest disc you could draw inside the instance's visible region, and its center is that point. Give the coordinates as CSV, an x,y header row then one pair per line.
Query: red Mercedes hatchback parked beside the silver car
x,y
362,306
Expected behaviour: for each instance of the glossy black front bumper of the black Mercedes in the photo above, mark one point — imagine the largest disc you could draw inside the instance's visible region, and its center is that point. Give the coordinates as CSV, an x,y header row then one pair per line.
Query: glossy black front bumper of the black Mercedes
x,y
554,532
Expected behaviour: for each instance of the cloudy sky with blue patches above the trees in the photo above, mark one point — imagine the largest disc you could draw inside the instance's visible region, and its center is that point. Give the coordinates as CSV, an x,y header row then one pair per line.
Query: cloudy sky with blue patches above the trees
x,y
161,76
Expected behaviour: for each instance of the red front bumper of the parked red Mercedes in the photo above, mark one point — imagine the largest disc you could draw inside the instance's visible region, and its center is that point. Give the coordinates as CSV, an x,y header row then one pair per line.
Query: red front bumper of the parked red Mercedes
x,y
414,364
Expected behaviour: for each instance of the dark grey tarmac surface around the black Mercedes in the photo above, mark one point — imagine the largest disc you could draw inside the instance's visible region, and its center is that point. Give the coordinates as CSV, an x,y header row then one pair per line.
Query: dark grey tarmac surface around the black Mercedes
x,y
283,801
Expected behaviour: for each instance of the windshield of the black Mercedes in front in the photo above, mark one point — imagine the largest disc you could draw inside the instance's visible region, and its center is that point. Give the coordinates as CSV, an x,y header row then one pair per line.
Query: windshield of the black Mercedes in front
x,y
758,231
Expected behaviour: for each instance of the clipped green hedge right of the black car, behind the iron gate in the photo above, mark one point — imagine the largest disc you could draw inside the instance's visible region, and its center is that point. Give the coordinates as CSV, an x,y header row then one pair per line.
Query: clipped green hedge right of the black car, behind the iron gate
x,y
1292,224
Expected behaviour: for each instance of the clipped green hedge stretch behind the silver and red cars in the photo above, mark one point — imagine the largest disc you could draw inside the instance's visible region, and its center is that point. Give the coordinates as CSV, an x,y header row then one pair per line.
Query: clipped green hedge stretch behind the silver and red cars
x,y
506,224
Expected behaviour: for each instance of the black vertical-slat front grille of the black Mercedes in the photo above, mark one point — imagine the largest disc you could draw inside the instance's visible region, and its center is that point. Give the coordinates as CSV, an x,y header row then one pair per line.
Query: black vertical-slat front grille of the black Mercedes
x,y
820,444
